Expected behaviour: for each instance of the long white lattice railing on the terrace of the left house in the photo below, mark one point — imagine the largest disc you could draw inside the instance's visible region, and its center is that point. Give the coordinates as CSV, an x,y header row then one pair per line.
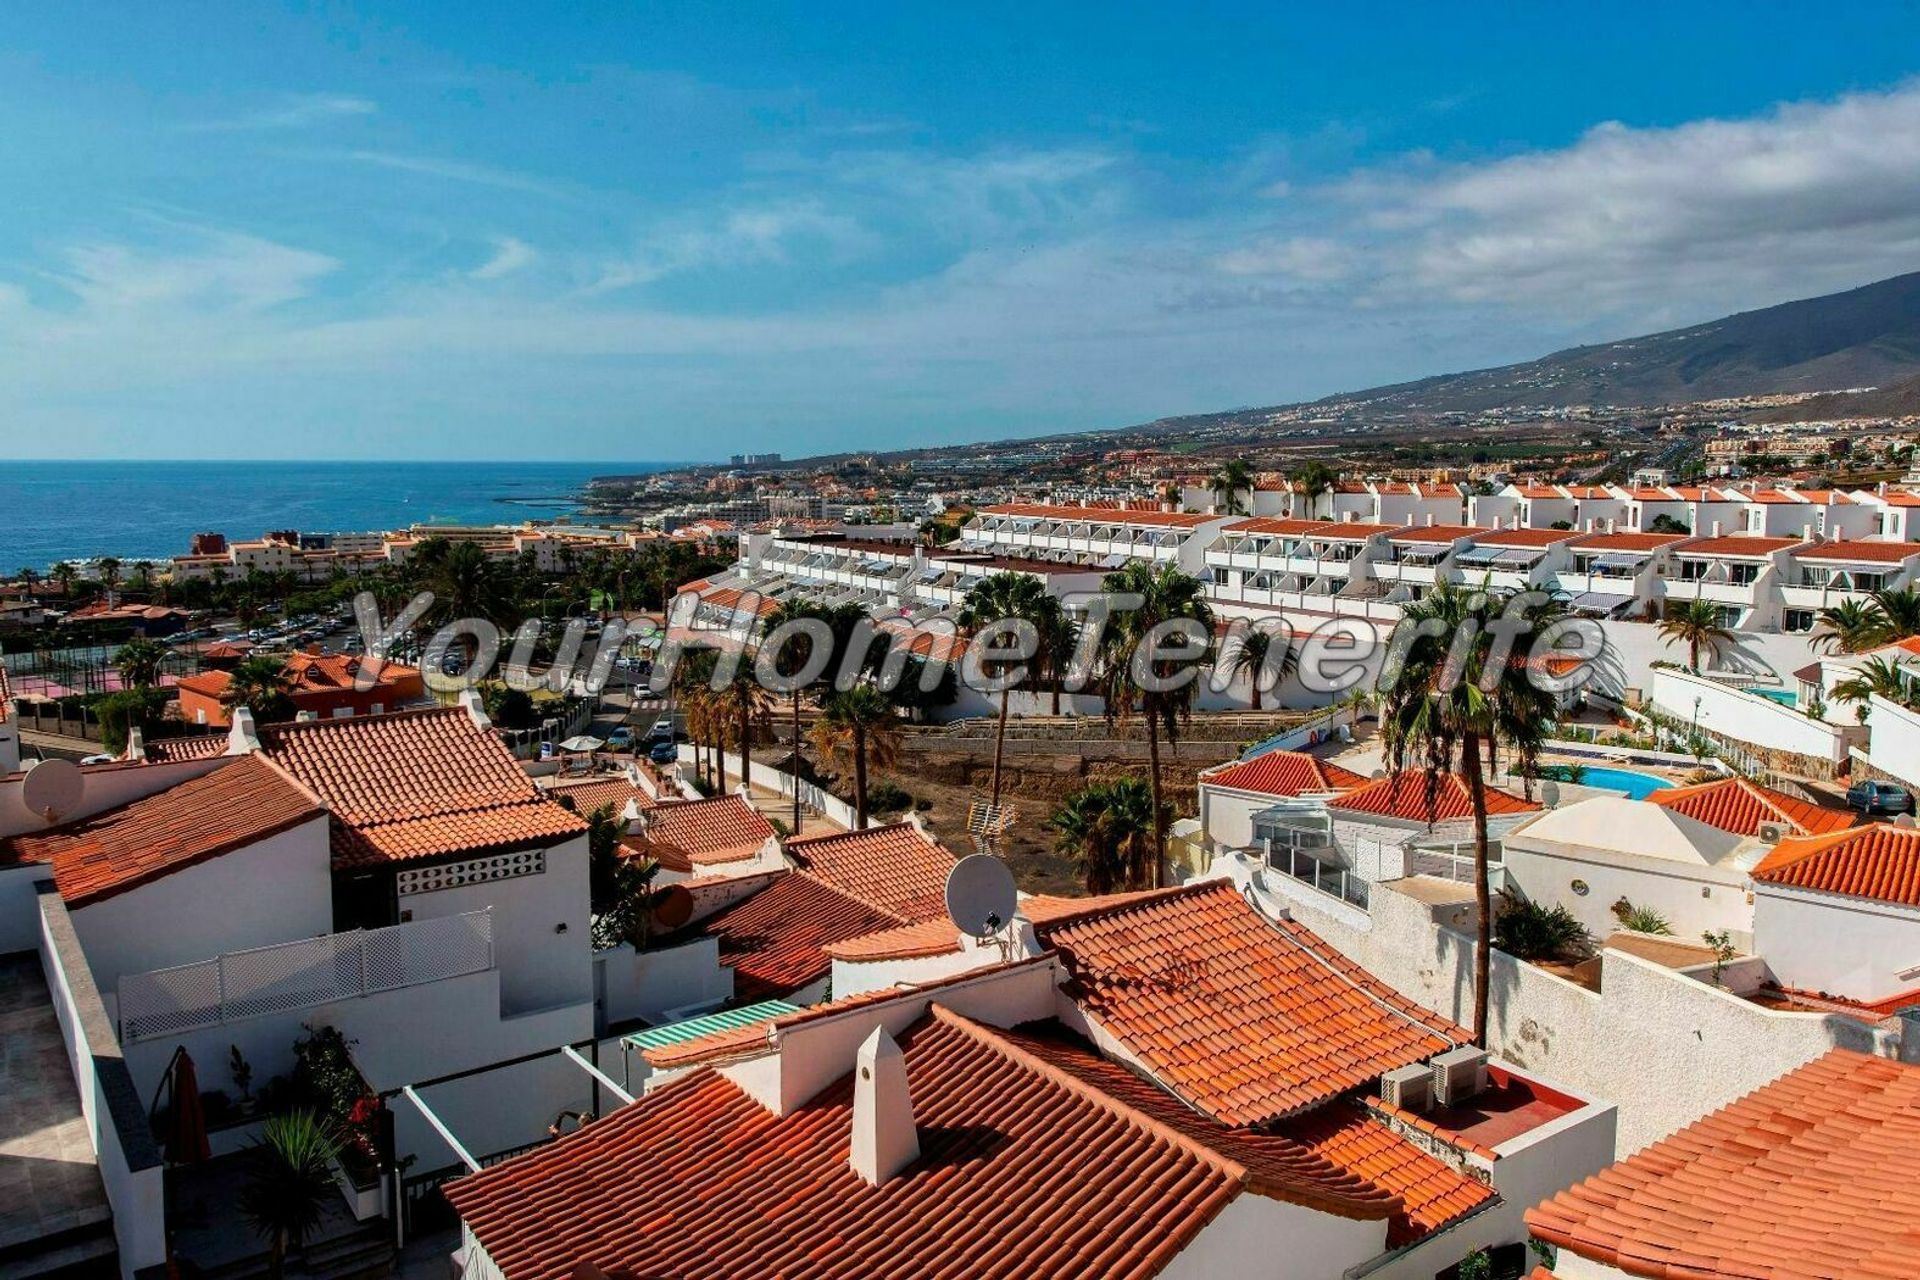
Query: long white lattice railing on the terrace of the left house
x,y
299,976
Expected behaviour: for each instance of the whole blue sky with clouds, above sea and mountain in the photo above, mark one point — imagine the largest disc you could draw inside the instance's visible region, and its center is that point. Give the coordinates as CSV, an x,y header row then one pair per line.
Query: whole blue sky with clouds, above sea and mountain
x,y
684,231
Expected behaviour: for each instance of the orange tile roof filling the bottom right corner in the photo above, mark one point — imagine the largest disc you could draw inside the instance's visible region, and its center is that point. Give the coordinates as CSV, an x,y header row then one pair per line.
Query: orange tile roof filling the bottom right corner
x,y
1806,1179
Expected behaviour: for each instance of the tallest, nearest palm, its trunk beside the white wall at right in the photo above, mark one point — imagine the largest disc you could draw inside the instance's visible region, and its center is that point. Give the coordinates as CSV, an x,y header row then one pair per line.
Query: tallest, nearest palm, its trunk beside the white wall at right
x,y
1454,713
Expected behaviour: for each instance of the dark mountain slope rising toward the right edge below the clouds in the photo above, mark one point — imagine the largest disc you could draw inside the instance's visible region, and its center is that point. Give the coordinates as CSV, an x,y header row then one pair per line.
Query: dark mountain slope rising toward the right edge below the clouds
x,y
1867,337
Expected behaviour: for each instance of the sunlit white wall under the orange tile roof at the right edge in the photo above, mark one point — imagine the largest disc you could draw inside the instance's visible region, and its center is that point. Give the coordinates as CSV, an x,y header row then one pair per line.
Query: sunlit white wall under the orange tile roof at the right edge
x,y
1842,947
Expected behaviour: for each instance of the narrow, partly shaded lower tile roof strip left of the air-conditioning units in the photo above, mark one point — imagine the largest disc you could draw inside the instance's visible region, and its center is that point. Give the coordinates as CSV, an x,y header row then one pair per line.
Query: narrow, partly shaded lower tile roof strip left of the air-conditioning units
x,y
1337,1160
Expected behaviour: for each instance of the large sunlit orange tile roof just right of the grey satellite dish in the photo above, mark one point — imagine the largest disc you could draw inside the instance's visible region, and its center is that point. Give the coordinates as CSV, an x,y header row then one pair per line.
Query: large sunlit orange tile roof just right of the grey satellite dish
x,y
1245,1018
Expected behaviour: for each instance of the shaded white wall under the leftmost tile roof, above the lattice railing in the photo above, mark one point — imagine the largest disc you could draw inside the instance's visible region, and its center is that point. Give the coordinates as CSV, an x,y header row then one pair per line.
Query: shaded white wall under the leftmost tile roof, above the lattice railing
x,y
274,891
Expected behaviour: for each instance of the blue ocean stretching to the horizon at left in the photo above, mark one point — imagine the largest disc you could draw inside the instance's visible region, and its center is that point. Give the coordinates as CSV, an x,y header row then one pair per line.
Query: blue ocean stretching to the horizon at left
x,y
137,511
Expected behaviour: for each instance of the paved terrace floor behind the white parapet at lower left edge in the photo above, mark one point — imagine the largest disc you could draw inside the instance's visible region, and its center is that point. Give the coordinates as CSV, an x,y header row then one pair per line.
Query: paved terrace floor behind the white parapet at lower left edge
x,y
49,1179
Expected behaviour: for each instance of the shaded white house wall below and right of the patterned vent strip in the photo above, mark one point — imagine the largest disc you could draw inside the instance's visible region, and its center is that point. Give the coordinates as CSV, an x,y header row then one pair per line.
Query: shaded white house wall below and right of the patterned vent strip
x,y
540,966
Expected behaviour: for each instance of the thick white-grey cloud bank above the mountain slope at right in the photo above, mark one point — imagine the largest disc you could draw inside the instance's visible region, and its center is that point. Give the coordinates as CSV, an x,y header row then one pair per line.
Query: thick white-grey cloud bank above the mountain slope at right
x,y
1706,216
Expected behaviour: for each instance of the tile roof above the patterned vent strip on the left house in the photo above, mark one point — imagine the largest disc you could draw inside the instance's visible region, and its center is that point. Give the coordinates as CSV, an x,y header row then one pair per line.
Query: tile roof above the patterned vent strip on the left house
x,y
418,786
